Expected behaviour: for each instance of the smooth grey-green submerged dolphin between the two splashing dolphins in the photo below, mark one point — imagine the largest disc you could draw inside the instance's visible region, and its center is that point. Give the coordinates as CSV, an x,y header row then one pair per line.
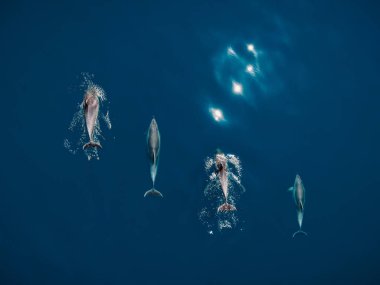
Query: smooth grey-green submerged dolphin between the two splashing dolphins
x,y
153,141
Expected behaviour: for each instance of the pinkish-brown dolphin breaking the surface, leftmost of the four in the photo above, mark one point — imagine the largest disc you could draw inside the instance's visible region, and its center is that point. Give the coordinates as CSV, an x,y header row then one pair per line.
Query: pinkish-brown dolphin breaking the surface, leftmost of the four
x,y
91,109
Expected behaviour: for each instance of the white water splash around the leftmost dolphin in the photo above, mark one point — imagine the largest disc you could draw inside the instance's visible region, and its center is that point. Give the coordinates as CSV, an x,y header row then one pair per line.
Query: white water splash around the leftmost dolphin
x,y
78,136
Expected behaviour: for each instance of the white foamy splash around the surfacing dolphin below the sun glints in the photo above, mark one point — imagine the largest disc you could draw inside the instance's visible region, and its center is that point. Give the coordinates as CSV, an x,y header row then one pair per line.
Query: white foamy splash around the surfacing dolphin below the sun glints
x,y
209,215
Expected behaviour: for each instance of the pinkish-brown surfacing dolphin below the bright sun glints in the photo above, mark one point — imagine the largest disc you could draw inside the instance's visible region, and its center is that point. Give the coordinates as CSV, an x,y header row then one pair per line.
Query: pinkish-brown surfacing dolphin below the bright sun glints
x,y
221,171
